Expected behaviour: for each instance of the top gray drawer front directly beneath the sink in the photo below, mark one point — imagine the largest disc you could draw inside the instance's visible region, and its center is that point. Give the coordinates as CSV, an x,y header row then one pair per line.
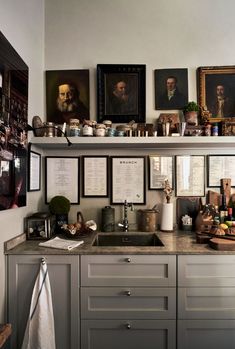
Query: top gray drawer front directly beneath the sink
x,y
128,270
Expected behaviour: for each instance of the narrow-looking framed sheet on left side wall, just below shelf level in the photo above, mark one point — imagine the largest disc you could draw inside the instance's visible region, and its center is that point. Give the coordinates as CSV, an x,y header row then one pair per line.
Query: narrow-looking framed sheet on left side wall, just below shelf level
x,y
34,171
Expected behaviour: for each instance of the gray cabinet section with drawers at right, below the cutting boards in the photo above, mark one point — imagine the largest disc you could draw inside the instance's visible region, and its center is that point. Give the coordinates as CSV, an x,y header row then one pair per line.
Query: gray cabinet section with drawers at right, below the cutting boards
x,y
206,301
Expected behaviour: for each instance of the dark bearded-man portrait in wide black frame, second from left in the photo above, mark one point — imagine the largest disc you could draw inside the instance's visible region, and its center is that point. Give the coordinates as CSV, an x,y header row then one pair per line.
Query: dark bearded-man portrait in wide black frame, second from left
x,y
121,92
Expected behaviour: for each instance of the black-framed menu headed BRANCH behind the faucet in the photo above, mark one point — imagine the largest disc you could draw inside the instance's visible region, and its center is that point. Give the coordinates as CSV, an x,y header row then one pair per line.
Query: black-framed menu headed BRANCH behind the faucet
x,y
128,179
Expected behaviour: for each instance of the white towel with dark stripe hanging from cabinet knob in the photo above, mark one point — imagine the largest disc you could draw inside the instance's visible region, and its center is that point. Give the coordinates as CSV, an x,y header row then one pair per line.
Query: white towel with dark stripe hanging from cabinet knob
x,y
40,332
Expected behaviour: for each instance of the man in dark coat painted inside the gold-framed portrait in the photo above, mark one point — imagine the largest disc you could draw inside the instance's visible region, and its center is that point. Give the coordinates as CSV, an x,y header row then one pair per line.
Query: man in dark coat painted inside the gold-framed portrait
x,y
222,105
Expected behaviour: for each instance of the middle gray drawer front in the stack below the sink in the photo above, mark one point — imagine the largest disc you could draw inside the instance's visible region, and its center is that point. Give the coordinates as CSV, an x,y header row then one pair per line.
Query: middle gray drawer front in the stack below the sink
x,y
124,303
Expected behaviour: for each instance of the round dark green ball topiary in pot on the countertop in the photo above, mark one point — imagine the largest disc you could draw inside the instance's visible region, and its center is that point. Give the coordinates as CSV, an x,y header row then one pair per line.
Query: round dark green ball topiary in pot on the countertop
x,y
60,206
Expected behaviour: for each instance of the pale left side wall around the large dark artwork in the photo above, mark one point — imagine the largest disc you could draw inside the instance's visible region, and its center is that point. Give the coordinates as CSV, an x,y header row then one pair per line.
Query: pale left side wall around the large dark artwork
x,y
22,23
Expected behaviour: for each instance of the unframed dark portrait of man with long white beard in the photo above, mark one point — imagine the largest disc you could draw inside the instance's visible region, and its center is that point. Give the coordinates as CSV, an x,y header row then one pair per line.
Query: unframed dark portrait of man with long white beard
x,y
67,95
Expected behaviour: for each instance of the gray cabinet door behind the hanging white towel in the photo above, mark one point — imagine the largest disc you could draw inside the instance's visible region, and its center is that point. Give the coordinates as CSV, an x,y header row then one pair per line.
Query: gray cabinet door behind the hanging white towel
x,y
64,279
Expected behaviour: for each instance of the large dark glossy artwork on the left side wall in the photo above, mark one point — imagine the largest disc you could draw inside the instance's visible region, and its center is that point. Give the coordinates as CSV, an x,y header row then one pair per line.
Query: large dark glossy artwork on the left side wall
x,y
13,127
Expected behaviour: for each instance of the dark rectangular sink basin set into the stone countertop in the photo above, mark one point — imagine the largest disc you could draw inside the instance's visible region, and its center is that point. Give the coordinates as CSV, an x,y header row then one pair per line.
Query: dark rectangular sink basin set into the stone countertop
x,y
127,239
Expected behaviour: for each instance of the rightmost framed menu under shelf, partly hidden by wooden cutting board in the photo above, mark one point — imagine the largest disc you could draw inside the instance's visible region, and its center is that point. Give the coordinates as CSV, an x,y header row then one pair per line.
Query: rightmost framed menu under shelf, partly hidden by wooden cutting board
x,y
220,166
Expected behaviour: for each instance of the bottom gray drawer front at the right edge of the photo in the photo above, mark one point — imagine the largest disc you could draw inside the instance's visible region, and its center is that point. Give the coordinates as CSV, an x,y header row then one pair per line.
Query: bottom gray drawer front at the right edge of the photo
x,y
204,334
